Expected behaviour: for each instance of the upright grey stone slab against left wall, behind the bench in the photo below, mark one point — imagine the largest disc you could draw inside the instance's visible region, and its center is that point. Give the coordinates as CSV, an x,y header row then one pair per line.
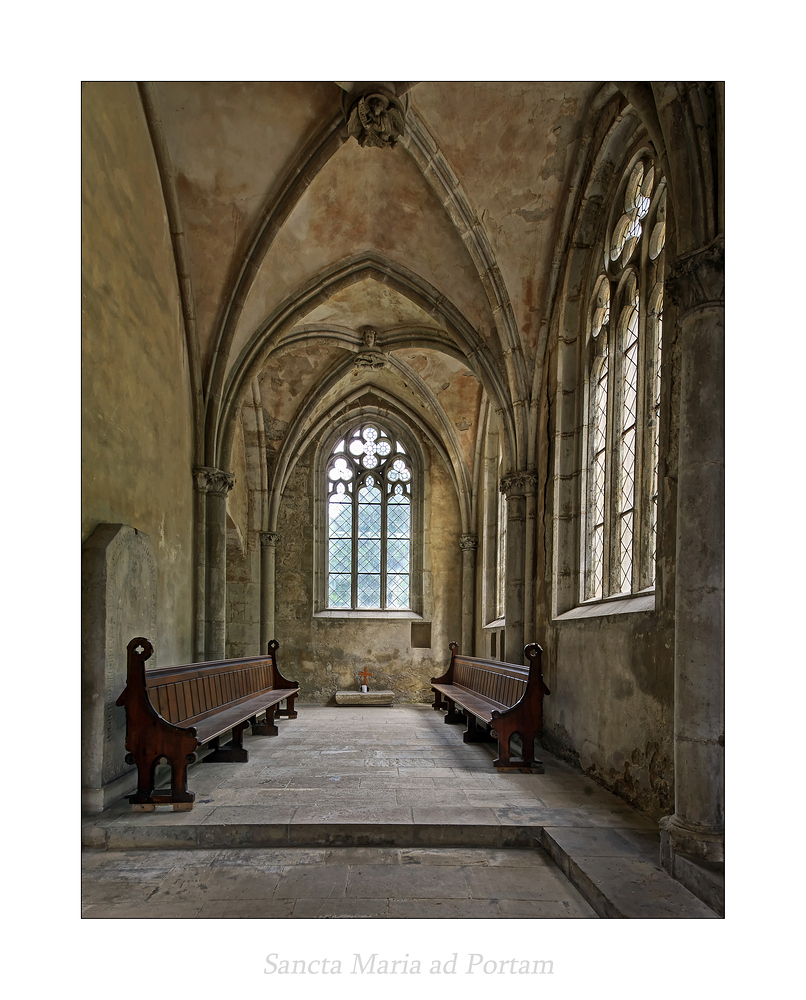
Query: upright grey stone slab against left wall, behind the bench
x,y
119,585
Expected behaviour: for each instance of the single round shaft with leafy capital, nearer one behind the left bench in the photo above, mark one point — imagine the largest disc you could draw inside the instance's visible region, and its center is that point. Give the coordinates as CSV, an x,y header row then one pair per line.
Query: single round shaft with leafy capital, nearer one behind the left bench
x,y
217,485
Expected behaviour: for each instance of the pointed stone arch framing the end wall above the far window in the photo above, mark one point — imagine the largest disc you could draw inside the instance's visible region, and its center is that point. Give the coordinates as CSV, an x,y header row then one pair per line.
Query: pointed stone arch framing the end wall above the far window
x,y
347,409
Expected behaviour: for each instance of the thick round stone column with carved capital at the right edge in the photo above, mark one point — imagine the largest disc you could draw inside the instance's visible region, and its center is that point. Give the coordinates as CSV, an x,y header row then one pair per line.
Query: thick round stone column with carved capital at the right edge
x,y
696,285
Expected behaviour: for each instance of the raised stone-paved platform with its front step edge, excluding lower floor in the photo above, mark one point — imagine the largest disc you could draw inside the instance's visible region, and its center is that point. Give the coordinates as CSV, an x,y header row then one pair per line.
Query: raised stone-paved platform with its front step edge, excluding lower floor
x,y
401,779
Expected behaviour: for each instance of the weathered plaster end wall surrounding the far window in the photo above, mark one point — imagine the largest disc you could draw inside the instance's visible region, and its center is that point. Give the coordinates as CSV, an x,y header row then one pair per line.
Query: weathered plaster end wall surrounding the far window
x,y
326,655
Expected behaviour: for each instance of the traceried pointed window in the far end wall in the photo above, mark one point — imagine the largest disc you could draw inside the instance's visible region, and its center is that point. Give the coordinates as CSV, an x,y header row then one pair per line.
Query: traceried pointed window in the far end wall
x,y
369,507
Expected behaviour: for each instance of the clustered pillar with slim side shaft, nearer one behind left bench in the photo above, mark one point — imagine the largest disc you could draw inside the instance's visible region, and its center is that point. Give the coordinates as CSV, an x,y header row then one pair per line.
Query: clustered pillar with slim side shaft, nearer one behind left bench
x,y
212,489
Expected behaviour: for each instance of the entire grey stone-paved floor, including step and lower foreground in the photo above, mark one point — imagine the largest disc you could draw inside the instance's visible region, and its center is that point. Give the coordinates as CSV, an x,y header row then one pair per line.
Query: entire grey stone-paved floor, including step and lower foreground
x,y
379,812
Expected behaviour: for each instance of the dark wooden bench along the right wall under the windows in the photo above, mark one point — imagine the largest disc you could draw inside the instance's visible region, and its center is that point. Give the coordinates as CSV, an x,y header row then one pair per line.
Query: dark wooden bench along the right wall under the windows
x,y
506,697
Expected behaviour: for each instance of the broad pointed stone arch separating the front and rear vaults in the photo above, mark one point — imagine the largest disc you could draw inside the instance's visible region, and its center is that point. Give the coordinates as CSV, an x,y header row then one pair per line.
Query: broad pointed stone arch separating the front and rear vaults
x,y
470,347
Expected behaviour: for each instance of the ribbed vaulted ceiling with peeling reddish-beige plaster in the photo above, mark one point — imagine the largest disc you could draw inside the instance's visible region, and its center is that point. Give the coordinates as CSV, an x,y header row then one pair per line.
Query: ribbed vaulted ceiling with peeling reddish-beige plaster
x,y
294,239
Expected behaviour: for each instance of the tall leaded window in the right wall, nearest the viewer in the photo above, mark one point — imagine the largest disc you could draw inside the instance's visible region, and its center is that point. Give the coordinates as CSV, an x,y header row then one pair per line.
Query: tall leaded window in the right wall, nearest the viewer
x,y
623,369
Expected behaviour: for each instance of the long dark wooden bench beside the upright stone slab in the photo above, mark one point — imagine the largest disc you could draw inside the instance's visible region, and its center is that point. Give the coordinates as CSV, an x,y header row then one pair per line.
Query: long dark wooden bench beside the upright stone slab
x,y
172,711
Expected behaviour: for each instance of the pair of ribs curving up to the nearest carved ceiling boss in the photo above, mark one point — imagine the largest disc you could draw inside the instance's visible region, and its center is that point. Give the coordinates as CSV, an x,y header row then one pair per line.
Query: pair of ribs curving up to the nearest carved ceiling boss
x,y
425,152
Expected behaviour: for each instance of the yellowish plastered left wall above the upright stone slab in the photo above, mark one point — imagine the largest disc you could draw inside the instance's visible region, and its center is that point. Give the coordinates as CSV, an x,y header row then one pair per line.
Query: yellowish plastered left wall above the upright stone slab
x,y
136,416
